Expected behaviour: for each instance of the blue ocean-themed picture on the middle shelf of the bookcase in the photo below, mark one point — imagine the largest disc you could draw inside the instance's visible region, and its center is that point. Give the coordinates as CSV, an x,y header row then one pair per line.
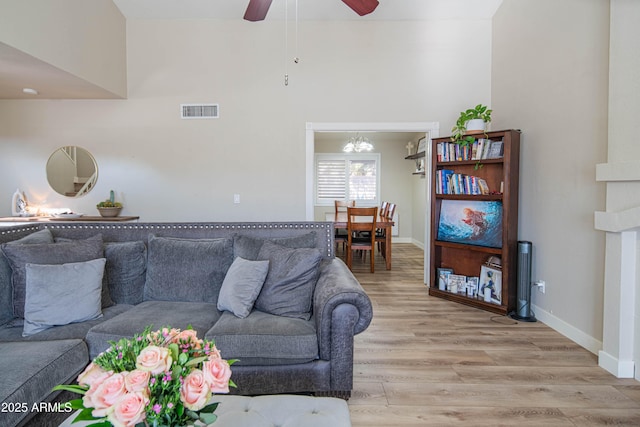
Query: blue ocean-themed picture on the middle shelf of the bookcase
x,y
471,222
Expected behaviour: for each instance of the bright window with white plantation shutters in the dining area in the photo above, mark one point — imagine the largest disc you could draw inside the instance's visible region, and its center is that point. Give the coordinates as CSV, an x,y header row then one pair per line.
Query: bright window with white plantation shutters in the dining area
x,y
347,177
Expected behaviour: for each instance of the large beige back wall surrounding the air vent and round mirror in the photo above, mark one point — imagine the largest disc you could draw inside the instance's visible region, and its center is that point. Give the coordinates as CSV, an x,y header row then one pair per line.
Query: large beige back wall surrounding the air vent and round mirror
x,y
166,169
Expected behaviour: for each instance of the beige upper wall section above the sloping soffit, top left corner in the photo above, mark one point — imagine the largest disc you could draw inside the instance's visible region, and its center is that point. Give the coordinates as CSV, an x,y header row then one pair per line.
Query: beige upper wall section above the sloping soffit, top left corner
x,y
85,39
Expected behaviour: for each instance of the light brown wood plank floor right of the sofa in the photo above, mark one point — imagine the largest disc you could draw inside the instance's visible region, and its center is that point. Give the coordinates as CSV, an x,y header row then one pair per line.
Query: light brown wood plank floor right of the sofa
x,y
425,361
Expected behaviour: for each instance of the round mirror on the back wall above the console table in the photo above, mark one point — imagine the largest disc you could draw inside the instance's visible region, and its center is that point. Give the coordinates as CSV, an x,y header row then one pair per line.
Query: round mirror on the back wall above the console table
x,y
72,171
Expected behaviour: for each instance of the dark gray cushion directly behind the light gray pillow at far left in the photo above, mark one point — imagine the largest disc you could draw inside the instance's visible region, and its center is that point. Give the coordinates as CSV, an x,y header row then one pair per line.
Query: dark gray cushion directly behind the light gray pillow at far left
x,y
43,253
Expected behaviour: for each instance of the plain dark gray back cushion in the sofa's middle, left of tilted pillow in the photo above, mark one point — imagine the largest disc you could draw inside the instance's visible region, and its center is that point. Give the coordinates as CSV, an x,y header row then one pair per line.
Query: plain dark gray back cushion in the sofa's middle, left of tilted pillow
x,y
186,269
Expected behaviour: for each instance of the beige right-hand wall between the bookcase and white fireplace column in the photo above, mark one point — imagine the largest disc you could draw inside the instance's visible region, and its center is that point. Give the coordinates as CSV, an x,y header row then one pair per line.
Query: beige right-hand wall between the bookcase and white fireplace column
x,y
550,79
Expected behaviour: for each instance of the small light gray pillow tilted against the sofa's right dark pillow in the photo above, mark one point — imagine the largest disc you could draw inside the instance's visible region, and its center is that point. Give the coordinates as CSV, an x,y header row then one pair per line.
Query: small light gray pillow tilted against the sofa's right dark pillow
x,y
241,286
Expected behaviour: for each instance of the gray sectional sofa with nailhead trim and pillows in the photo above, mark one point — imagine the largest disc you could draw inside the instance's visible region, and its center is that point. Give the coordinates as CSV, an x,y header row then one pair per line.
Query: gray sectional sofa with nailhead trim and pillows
x,y
271,295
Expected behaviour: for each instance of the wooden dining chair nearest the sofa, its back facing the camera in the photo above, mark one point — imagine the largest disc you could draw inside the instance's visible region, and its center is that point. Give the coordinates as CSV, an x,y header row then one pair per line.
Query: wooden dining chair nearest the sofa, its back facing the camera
x,y
361,220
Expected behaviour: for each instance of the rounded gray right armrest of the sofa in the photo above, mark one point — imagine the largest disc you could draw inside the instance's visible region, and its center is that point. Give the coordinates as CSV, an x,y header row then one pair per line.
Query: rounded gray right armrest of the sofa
x,y
337,286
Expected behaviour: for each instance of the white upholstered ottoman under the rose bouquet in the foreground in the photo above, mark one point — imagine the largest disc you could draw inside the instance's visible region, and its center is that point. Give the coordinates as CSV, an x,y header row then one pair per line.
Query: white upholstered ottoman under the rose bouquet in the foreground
x,y
281,410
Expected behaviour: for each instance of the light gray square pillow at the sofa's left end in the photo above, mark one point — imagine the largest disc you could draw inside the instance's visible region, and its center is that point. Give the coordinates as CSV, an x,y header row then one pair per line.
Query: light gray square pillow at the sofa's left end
x,y
62,294
